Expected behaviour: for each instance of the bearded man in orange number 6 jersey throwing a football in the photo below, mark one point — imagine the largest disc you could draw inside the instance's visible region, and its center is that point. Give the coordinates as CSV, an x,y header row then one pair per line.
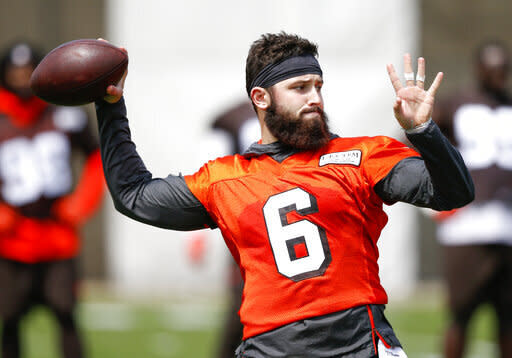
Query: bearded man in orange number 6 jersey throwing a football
x,y
302,209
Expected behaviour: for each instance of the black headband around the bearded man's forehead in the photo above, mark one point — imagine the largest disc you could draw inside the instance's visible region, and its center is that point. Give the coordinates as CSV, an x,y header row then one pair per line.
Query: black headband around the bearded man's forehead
x,y
287,68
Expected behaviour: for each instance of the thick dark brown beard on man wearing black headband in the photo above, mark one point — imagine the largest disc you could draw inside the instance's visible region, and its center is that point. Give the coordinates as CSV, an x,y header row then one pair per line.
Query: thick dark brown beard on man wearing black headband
x,y
296,132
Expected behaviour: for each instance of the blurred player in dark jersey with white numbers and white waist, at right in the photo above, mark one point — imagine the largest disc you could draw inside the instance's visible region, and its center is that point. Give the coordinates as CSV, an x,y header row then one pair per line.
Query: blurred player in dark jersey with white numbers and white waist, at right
x,y
477,239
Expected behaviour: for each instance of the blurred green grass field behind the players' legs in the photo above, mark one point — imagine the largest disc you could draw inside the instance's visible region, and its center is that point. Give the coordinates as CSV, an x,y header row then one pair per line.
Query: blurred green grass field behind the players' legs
x,y
189,329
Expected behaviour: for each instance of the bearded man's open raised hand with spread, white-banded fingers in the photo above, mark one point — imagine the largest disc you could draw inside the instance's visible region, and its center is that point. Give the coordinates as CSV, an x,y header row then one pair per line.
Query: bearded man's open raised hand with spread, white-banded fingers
x,y
413,105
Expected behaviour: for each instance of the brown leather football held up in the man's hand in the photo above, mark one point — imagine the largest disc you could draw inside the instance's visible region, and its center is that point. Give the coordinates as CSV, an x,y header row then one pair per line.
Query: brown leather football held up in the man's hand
x,y
78,72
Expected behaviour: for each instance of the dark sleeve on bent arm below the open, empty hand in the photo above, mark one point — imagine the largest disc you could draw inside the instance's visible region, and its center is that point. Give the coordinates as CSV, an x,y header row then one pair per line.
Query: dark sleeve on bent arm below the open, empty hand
x,y
438,179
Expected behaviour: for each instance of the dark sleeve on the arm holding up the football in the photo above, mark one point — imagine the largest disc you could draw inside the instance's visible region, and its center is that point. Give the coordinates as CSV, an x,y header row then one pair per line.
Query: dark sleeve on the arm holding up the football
x,y
163,202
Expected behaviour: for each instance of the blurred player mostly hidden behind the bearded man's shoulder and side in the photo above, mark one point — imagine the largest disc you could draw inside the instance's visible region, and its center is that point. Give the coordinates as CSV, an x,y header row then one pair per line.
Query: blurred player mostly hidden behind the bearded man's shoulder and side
x,y
239,127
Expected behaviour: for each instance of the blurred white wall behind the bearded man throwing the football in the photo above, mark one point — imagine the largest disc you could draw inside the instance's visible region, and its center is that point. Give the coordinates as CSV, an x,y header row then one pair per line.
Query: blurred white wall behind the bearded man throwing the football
x,y
187,63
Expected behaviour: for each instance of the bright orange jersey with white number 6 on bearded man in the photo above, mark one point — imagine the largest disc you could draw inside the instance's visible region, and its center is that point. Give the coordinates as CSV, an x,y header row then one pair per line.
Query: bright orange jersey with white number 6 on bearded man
x,y
304,231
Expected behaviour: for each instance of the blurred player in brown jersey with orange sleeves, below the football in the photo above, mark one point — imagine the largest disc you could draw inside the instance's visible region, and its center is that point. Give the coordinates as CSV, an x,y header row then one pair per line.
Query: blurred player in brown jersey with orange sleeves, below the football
x,y
40,213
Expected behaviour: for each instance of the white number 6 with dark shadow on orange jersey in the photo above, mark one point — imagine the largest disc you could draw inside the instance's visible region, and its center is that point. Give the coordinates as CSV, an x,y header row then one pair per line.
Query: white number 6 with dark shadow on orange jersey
x,y
284,237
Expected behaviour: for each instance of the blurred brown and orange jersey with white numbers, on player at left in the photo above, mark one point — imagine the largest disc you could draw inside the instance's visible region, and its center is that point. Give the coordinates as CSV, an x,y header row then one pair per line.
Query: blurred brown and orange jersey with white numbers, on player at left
x,y
40,208
